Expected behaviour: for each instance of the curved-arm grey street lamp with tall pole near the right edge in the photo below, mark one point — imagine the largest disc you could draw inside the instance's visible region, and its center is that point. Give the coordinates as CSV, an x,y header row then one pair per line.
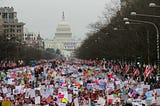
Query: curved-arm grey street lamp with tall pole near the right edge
x,y
157,34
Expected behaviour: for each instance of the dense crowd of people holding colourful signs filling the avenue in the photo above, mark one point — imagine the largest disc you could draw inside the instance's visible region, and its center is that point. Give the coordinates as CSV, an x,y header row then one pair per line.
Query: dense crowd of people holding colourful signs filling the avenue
x,y
104,83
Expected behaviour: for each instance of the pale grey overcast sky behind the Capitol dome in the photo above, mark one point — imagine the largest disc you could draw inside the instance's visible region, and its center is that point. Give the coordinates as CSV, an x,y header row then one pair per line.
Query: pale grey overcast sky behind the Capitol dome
x,y
43,15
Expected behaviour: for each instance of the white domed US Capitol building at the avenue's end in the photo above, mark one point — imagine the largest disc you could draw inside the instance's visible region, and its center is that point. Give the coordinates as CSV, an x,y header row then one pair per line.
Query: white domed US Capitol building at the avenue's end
x,y
63,39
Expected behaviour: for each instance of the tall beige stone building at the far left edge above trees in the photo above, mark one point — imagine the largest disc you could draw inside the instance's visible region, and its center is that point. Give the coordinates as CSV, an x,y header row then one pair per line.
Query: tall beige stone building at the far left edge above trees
x,y
11,27
